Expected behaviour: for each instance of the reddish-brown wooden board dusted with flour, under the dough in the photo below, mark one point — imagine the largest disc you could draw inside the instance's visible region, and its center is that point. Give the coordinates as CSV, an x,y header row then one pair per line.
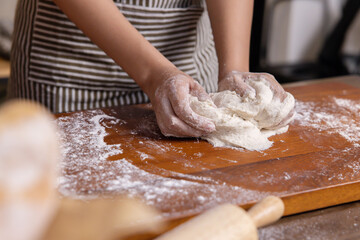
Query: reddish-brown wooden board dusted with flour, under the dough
x,y
314,165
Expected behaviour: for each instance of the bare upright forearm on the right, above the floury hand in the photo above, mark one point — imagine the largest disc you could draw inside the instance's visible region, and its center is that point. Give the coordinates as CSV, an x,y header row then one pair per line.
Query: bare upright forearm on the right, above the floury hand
x,y
231,26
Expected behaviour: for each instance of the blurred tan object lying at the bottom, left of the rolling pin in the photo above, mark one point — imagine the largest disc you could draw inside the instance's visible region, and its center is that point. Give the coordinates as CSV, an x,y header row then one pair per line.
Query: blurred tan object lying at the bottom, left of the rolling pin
x,y
103,219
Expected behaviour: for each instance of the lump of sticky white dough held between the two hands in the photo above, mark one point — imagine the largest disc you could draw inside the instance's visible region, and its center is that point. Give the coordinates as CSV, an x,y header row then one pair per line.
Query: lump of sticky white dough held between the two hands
x,y
244,121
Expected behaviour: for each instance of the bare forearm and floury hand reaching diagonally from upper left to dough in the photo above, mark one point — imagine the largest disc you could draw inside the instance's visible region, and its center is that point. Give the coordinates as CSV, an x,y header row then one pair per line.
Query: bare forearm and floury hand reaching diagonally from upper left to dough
x,y
106,26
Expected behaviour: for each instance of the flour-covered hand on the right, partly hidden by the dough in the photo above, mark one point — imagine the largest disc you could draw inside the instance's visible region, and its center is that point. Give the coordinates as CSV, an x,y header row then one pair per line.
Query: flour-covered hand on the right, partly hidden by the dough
x,y
238,82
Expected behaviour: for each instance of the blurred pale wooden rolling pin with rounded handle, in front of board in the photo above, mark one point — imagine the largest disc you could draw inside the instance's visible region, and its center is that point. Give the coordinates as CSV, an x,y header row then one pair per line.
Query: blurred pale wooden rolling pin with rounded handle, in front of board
x,y
228,221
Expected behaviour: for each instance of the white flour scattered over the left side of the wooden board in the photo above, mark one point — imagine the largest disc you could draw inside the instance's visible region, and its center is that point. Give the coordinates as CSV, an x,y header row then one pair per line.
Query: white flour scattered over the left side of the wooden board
x,y
85,172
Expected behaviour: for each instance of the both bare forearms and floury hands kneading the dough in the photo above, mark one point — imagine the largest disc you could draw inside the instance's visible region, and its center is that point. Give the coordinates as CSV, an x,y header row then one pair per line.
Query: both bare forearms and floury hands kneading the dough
x,y
168,88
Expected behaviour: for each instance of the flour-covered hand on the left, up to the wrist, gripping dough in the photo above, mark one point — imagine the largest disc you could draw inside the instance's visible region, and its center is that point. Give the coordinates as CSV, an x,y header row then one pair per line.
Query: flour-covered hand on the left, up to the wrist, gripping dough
x,y
171,103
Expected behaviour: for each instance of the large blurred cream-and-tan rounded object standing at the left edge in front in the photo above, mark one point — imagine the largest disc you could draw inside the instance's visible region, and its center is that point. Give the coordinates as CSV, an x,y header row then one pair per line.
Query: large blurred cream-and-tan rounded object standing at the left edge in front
x,y
29,153
